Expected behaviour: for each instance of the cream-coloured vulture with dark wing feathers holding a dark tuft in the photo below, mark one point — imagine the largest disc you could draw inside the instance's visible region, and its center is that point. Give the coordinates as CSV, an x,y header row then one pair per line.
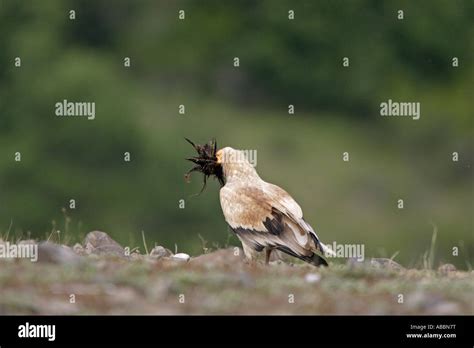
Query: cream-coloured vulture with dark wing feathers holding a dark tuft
x,y
263,216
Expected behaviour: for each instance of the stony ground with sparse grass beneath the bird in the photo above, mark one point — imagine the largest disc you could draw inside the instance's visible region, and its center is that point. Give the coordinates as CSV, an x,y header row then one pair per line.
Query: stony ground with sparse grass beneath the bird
x,y
100,277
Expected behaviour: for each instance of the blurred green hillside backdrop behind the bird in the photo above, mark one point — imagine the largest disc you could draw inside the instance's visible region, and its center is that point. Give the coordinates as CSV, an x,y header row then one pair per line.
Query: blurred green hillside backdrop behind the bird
x,y
282,62
